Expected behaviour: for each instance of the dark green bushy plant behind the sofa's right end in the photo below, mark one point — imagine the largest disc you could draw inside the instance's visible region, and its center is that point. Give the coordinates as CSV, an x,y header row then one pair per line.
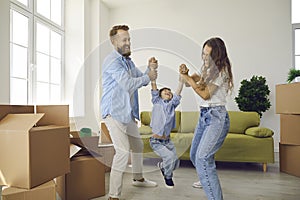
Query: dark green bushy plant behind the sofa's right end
x,y
254,95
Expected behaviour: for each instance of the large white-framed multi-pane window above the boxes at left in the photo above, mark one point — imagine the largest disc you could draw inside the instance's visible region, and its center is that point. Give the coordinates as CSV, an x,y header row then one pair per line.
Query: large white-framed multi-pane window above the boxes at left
x,y
36,49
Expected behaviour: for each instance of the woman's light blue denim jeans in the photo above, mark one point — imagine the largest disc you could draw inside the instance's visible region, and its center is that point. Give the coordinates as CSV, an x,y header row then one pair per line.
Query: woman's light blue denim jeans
x,y
209,136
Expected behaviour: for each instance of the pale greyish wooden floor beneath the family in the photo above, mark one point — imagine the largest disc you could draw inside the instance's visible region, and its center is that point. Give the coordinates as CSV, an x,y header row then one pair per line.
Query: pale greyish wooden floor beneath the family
x,y
239,181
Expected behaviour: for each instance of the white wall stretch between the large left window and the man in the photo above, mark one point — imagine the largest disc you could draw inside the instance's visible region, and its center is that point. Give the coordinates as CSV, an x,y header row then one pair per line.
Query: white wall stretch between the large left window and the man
x,y
83,35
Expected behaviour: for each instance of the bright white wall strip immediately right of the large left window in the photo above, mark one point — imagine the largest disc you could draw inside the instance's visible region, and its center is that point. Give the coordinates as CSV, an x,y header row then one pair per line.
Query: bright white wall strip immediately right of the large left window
x,y
74,53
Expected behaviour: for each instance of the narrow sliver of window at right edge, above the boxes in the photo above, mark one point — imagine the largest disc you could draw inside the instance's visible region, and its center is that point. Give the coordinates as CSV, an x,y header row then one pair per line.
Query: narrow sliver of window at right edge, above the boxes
x,y
296,33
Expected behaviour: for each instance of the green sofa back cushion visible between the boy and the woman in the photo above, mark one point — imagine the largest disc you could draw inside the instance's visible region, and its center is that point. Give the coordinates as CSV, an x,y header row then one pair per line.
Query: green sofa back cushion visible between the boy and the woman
x,y
189,121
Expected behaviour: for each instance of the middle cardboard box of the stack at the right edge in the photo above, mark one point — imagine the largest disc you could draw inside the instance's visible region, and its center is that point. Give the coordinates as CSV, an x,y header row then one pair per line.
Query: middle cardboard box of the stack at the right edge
x,y
290,129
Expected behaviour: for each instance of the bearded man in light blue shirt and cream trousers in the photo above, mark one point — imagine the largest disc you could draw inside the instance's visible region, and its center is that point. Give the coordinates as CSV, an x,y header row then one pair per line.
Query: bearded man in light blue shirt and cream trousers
x,y
120,107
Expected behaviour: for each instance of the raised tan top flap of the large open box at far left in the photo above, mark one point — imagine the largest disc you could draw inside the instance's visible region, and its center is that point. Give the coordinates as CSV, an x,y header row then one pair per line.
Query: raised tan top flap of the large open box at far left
x,y
22,122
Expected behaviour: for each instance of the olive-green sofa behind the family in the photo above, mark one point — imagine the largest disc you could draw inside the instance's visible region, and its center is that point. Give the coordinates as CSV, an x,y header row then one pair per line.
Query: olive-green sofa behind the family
x,y
245,142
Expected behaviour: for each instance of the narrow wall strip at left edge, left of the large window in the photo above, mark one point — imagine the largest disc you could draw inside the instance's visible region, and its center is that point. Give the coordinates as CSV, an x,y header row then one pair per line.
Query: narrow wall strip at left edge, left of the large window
x,y
4,49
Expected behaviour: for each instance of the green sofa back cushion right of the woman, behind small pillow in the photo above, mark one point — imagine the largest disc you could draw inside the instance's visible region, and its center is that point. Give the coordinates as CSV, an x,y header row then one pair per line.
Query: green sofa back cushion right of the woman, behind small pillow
x,y
240,121
